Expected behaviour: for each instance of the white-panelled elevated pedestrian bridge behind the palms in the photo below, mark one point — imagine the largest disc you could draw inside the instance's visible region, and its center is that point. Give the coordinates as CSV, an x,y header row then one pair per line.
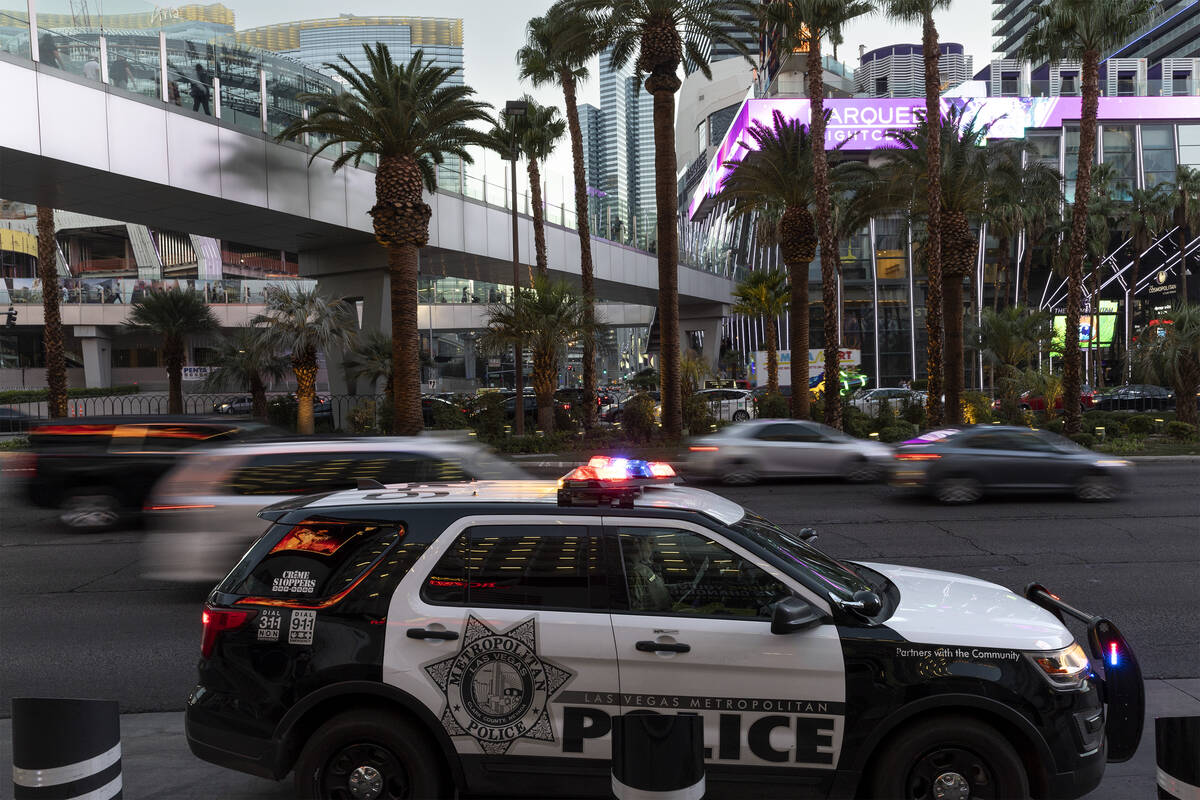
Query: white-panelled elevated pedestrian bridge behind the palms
x,y
82,146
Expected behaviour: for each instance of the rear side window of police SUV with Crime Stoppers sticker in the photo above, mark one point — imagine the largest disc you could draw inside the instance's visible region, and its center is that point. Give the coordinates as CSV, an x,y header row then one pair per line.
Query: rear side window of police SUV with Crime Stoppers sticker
x,y
316,562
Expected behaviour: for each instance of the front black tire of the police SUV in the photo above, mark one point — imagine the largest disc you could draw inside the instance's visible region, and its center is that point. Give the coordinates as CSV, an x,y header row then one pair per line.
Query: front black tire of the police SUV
x,y
958,750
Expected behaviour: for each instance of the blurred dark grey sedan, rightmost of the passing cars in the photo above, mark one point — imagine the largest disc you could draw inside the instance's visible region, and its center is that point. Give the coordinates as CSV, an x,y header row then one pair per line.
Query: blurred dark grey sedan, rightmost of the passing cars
x,y
958,466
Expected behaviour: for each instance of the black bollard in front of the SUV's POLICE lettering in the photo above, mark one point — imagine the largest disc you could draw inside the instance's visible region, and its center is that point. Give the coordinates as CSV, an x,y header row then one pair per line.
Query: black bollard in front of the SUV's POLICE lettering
x,y
658,756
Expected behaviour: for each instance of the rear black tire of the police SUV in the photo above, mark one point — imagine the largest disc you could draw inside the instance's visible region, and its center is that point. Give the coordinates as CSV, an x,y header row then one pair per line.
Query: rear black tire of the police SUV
x,y
374,747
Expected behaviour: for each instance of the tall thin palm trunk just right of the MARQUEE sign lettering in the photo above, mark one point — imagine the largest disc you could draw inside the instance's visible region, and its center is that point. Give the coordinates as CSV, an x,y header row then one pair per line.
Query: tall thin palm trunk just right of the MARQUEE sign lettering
x,y
934,366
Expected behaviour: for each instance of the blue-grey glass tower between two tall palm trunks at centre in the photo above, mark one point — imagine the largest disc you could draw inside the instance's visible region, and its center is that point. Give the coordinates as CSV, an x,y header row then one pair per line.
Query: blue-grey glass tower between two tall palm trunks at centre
x,y
621,139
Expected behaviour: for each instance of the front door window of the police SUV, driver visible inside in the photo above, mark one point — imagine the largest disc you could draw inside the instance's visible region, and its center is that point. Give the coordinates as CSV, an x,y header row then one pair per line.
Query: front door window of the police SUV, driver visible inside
x,y
671,572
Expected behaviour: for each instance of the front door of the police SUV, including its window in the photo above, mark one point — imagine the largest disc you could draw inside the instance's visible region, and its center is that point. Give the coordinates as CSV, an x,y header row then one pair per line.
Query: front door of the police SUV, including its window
x,y
697,640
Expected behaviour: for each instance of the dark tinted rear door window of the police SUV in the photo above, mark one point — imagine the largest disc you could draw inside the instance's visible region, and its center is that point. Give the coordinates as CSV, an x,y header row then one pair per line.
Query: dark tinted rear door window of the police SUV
x,y
526,567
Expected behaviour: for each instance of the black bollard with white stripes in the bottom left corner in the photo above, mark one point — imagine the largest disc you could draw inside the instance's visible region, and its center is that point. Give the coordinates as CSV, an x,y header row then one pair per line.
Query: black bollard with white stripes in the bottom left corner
x,y
67,749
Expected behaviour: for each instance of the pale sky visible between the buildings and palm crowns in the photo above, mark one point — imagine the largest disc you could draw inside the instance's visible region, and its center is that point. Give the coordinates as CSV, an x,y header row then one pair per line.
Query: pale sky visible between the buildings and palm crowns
x,y
495,29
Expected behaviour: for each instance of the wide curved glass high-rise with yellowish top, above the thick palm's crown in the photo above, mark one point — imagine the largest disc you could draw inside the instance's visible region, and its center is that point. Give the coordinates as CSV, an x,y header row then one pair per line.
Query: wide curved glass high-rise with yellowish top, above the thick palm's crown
x,y
316,43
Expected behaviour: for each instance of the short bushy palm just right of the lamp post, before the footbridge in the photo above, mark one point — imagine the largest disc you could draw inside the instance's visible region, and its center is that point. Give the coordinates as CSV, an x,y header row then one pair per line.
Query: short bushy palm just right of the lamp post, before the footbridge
x,y
543,318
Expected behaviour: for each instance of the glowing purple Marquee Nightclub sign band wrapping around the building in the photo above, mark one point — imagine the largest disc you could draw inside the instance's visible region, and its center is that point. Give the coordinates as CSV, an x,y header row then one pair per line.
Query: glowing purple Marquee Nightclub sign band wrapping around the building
x,y
863,123
